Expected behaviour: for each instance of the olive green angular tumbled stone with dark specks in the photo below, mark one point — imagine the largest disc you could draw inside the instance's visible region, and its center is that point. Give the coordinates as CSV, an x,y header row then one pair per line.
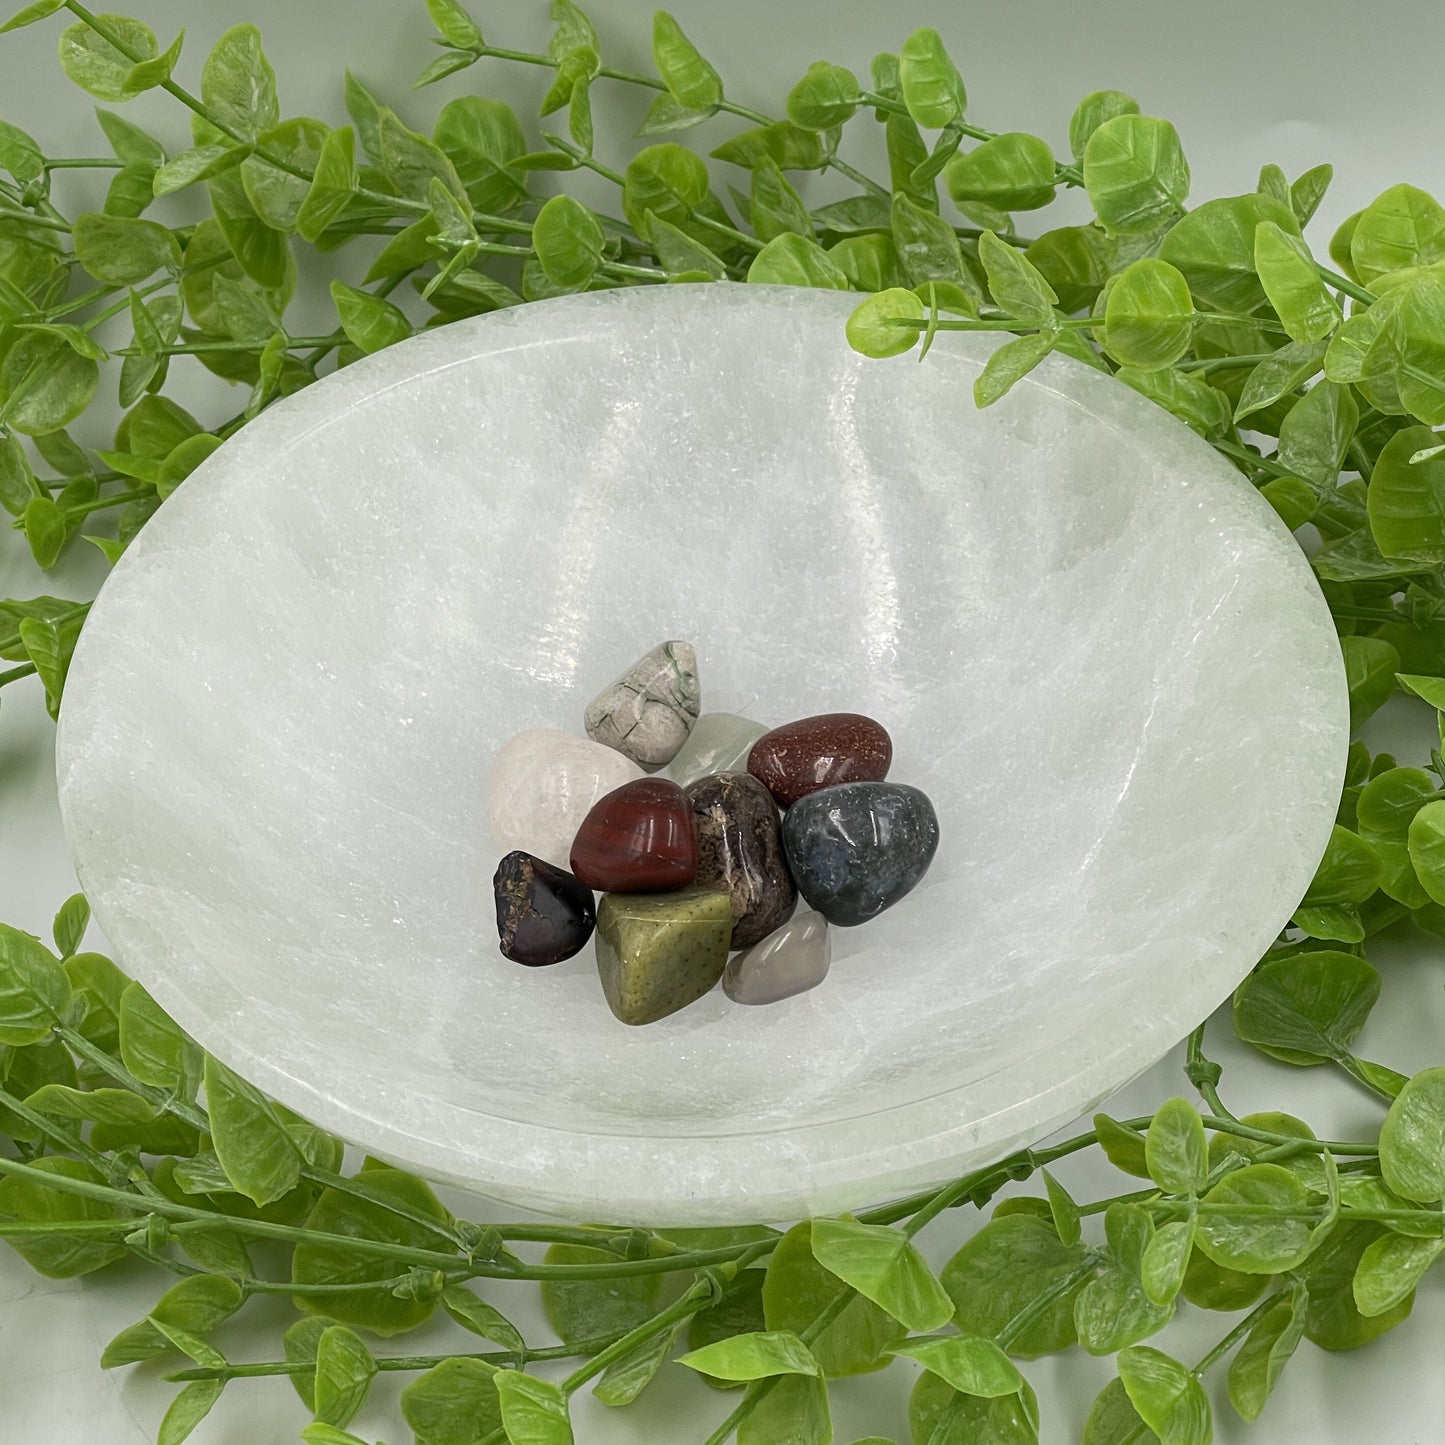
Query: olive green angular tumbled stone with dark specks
x,y
657,953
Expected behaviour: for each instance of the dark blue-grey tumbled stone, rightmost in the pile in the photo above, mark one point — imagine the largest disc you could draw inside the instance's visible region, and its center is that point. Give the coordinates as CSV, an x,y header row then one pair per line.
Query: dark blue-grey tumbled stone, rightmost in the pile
x,y
856,849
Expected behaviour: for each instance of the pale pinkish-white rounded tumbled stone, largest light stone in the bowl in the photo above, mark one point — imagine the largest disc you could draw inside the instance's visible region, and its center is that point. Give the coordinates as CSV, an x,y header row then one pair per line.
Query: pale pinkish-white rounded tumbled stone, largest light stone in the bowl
x,y
544,784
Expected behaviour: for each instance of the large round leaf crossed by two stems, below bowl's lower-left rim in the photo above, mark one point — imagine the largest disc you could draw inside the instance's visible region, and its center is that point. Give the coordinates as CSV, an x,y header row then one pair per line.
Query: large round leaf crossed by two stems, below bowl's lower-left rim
x,y
366,1307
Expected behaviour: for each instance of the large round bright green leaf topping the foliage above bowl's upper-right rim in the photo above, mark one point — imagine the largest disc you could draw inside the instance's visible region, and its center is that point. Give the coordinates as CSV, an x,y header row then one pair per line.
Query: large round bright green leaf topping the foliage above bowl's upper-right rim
x,y
1135,174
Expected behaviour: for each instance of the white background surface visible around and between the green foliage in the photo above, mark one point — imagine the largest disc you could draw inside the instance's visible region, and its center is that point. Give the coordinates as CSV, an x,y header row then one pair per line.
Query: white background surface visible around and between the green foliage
x,y
1245,83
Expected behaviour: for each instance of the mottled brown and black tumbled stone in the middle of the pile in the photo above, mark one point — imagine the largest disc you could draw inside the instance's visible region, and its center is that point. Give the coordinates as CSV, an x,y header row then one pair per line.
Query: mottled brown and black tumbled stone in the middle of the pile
x,y
741,852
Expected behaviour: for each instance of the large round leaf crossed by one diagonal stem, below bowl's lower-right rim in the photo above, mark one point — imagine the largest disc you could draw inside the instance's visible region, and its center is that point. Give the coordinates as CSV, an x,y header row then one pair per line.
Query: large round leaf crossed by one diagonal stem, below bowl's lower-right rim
x,y
1002,1271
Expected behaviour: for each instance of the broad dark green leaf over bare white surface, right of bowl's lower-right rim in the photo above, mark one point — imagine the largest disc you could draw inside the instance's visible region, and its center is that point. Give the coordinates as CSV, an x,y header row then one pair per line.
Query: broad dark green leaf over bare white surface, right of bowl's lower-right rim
x,y
1307,1009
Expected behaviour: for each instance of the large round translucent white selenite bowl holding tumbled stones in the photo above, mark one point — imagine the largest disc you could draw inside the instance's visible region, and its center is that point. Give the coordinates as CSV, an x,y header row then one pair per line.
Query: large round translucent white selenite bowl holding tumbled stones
x,y
1095,645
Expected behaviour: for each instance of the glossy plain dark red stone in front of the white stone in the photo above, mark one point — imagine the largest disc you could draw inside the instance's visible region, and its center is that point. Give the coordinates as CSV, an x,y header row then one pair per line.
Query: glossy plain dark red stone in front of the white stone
x,y
639,839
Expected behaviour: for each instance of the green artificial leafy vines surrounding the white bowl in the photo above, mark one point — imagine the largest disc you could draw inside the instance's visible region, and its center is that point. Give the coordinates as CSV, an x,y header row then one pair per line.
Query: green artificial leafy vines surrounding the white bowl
x,y
1321,384
